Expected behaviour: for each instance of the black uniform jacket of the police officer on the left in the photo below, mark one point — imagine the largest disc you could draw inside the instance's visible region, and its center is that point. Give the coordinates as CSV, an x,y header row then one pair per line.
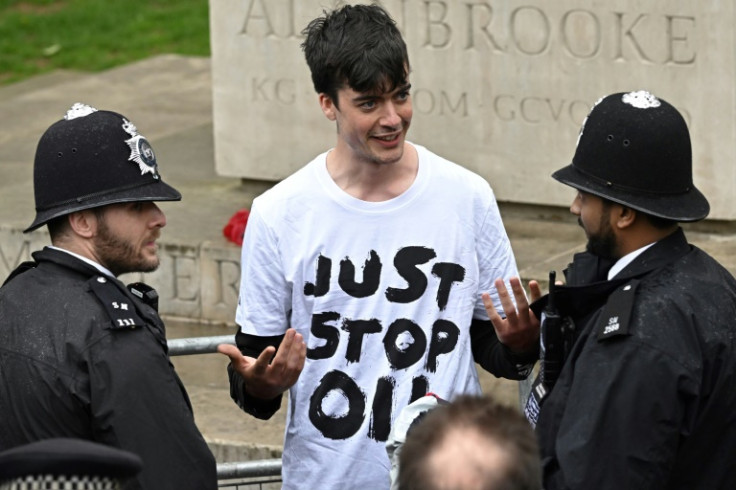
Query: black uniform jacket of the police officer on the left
x,y
81,357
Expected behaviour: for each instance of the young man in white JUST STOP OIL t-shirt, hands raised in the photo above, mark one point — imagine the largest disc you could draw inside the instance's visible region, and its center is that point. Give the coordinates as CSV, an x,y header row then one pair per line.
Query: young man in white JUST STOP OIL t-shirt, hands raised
x,y
366,269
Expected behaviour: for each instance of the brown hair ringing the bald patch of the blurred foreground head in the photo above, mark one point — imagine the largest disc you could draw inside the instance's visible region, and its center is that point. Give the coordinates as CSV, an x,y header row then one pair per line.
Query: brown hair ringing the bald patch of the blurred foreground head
x,y
500,425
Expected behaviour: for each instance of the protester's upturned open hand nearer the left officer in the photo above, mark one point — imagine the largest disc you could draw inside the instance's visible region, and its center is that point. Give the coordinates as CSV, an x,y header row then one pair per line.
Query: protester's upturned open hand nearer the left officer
x,y
264,379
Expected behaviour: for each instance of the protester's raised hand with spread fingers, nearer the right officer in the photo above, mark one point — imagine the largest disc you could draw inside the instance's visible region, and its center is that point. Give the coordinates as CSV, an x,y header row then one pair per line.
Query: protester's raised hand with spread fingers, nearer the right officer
x,y
519,331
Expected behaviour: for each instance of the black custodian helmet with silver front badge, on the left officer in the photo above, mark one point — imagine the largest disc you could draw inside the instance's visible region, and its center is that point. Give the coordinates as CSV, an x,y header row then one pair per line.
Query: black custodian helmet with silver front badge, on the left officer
x,y
93,158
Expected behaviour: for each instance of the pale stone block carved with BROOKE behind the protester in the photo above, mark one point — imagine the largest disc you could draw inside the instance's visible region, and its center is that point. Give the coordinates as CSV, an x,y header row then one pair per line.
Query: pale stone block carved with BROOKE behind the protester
x,y
500,87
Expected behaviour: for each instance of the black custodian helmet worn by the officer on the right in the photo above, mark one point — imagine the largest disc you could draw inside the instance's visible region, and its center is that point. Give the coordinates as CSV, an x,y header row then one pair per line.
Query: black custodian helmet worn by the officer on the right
x,y
634,149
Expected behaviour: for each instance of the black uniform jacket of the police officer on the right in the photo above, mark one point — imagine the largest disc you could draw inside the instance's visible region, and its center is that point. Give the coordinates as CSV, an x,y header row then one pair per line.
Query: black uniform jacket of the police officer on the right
x,y
647,397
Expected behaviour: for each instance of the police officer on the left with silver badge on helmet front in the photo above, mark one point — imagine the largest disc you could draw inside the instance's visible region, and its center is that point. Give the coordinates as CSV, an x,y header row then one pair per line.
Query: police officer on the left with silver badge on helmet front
x,y
82,355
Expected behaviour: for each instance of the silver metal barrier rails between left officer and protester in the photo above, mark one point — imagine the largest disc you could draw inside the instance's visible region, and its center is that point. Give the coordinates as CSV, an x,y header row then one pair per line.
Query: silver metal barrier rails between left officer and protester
x,y
262,474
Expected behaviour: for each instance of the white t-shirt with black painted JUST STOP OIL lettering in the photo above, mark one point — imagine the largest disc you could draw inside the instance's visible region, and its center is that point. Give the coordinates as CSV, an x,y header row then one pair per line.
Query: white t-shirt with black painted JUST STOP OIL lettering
x,y
383,293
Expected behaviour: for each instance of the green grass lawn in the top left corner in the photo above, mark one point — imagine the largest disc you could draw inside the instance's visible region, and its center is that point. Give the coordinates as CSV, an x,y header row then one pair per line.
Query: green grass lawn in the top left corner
x,y
37,36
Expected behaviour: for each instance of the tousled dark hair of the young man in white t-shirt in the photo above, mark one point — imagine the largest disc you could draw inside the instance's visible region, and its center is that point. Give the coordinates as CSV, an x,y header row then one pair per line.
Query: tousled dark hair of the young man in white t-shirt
x,y
357,45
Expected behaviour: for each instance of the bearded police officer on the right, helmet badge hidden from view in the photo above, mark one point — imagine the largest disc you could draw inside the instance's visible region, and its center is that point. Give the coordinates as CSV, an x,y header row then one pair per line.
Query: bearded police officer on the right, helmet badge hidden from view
x,y
646,397
